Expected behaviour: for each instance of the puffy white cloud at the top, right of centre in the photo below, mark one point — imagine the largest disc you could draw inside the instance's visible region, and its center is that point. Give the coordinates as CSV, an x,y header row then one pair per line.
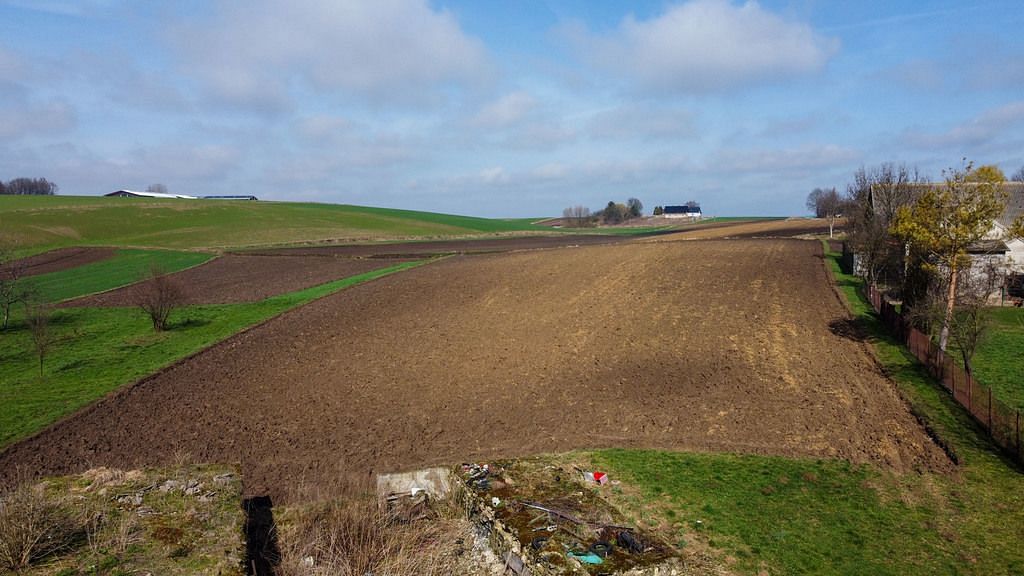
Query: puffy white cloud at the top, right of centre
x,y
708,46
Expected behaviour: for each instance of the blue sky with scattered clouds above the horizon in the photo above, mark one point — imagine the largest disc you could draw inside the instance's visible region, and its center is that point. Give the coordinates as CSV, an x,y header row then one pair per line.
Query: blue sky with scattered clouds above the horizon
x,y
518,108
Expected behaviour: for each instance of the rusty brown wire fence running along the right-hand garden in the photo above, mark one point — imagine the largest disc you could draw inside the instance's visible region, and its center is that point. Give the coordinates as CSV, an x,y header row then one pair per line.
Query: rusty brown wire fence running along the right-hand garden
x,y
1002,423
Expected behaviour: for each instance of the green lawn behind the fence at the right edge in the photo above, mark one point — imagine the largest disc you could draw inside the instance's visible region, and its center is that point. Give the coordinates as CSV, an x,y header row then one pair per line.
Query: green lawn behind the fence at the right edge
x,y
1000,361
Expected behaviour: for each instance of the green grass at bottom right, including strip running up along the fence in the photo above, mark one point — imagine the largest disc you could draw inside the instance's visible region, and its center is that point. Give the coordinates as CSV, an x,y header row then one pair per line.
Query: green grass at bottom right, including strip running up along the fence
x,y
812,517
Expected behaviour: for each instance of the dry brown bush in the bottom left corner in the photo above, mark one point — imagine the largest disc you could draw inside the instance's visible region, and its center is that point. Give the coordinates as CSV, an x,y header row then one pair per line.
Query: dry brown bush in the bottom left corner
x,y
34,526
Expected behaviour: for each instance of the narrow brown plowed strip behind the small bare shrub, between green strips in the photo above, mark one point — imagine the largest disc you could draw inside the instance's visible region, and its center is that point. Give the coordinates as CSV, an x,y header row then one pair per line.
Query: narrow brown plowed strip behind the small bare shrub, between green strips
x,y
235,278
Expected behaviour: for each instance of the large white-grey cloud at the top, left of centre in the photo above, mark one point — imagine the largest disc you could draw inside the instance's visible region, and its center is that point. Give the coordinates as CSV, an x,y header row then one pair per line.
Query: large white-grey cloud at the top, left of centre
x,y
253,52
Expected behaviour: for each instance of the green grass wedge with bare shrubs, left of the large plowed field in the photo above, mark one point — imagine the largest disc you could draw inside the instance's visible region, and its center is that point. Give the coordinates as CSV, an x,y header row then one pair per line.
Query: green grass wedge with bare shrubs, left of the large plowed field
x,y
102,350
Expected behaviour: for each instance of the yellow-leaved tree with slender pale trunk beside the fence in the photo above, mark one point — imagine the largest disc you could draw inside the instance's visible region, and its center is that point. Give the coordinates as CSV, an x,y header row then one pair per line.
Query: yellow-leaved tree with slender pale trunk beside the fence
x,y
945,222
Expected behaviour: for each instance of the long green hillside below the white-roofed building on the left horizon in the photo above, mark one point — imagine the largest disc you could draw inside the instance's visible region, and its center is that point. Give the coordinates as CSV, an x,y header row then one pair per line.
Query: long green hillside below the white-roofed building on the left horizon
x,y
44,223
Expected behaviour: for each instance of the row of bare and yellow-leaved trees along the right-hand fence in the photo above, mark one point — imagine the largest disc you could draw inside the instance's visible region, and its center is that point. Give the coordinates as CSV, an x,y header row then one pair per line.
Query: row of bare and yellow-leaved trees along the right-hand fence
x,y
914,239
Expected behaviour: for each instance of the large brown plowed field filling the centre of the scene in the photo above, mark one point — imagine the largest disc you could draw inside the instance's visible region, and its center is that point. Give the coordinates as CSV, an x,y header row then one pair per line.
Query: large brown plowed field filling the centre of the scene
x,y
722,346
